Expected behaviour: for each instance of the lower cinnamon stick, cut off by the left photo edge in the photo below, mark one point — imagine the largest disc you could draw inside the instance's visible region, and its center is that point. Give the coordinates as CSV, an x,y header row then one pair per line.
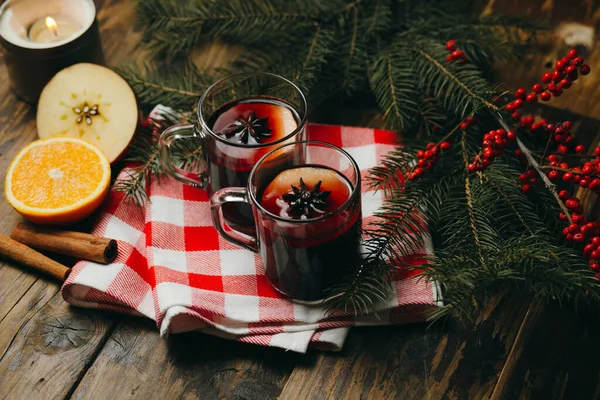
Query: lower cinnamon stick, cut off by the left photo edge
x,y
27,256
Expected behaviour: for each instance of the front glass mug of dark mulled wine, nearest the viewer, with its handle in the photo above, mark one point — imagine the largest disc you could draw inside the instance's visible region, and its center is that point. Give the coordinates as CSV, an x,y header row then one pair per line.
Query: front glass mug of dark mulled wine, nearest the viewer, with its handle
x,y
306,249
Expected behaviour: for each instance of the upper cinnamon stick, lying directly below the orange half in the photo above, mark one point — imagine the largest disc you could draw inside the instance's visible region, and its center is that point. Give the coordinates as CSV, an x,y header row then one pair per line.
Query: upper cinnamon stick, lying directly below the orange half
x,y
75,244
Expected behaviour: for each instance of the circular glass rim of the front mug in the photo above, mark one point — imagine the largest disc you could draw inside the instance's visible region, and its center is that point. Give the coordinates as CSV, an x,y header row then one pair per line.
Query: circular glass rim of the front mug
x,y
341,208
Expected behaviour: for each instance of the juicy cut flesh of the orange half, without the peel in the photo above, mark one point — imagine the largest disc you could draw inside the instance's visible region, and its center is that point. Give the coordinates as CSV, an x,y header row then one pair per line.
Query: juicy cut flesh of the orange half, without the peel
x,y
56,175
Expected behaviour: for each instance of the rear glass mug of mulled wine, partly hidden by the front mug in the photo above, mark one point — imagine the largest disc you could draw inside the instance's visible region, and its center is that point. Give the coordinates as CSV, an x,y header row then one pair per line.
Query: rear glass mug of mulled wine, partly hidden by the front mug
x,y
239,119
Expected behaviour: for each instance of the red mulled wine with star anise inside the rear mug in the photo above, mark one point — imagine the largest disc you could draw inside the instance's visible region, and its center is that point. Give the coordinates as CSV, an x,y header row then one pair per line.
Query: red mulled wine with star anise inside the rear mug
x,y
246,127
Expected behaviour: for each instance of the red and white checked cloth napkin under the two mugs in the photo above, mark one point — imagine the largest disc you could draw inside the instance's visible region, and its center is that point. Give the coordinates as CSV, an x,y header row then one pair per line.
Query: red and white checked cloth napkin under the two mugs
x,y
173,267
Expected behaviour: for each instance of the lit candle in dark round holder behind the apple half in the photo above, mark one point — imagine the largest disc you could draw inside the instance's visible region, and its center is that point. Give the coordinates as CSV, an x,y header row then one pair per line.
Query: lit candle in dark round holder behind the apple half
x,y
41,37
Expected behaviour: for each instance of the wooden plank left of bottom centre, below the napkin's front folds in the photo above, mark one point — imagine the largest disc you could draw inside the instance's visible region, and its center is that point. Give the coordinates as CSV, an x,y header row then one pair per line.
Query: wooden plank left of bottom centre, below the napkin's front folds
x,y
140,365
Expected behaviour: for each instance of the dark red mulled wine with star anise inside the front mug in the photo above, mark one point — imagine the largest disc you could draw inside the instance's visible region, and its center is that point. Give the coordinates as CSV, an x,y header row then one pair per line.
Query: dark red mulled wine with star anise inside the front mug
x,y
303,259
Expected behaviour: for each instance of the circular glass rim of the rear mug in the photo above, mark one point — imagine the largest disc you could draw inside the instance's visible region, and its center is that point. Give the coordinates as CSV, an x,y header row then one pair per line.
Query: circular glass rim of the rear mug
x,y
205,127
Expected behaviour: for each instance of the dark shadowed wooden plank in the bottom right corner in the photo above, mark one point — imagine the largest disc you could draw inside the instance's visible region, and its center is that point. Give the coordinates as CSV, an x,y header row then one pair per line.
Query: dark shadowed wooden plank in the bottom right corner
x,y
559,359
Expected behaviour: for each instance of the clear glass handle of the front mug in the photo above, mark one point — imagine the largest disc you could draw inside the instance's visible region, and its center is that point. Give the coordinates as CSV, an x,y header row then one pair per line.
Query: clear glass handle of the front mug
x,y
231,195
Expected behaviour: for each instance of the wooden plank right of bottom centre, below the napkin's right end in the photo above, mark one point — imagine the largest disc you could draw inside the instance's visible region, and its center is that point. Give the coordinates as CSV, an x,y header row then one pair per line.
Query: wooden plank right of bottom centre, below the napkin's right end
x,y
410,362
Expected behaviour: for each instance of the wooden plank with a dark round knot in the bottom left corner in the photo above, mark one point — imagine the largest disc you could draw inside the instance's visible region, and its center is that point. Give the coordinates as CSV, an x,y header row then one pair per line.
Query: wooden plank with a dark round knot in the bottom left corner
x,y
45,345
